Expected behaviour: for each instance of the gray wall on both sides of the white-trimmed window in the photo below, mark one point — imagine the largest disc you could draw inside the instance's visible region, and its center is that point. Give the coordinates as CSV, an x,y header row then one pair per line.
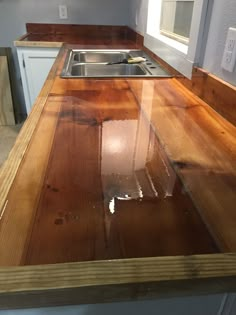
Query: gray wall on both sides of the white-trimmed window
x,y
223,16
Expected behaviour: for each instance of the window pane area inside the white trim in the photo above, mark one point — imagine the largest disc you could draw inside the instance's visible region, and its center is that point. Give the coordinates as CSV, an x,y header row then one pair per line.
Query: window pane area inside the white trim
x,y
176,18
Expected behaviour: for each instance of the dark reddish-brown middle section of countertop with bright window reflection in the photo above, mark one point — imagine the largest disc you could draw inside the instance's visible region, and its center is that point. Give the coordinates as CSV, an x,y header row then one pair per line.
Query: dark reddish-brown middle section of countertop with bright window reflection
x,y
111,192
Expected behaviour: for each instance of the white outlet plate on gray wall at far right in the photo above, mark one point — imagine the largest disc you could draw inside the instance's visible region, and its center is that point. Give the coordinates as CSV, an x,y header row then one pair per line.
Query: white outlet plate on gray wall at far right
x,y
229,56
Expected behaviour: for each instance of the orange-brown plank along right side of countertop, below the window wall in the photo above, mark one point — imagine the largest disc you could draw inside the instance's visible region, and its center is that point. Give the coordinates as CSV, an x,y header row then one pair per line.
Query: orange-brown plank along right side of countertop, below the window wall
x,y
201,146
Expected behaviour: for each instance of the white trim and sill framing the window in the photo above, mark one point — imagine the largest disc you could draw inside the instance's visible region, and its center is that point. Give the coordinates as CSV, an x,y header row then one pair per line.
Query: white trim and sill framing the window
x,y
180,56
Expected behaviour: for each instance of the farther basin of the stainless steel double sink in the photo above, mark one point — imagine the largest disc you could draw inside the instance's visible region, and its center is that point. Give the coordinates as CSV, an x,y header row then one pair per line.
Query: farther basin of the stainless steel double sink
x,y
100,57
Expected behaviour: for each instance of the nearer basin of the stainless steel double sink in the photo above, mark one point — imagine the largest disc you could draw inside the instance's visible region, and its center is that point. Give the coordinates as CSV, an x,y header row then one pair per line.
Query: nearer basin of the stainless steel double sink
x,y
91,70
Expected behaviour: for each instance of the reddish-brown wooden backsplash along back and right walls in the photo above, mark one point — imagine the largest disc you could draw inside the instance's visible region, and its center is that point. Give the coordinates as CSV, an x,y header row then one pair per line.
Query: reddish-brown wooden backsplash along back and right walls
x,y
219,94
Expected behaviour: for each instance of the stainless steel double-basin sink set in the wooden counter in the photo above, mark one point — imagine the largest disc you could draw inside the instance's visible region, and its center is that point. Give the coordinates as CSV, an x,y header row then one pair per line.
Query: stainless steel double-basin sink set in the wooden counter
x,y
103,63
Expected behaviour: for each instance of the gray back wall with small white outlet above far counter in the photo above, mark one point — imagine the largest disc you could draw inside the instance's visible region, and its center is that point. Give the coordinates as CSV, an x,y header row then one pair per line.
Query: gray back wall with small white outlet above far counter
x,y
15,13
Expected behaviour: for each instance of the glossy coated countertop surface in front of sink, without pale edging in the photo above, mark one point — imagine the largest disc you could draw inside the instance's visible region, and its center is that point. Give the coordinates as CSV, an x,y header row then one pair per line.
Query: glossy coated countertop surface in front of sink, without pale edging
x,y
84,114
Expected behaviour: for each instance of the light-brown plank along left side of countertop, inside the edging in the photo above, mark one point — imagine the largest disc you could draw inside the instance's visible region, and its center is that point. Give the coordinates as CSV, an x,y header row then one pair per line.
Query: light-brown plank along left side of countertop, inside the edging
x,y
25,192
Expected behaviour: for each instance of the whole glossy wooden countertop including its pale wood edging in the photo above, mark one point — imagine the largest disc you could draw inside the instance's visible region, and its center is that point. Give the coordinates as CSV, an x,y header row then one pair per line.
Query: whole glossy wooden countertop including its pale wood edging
x,y
123,185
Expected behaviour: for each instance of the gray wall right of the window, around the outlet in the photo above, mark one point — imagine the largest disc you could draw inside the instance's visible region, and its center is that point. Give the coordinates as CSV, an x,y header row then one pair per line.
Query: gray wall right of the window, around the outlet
x,y
223,17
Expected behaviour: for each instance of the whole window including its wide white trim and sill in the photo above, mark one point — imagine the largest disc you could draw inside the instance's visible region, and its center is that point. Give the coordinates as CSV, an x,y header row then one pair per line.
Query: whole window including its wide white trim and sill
x,y
175,31
